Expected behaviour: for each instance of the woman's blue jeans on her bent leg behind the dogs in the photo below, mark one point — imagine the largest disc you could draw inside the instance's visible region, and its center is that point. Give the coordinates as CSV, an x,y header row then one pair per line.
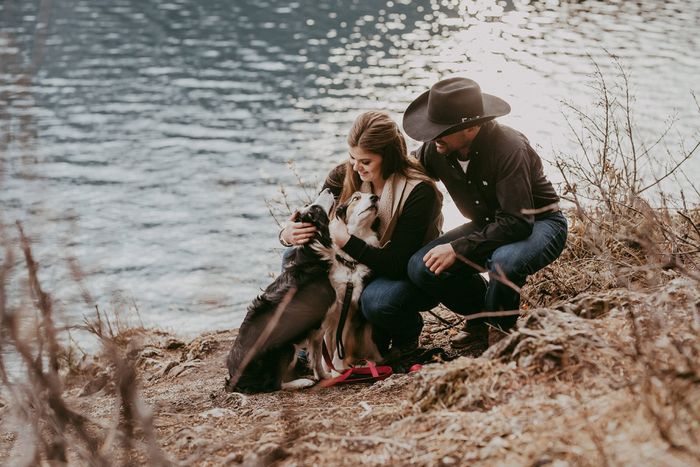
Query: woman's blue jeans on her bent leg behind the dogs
x,y
392,307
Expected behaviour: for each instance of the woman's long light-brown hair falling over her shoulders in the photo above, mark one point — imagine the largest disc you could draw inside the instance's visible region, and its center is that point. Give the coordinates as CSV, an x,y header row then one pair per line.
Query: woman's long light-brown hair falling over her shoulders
x,y
376,132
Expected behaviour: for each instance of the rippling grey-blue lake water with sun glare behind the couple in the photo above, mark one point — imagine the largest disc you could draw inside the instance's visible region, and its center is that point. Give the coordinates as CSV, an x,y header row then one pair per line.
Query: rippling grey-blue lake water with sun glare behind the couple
x,y
143,139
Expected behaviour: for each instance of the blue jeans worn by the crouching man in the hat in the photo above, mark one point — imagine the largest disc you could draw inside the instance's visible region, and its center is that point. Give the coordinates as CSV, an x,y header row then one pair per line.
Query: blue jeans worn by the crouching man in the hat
x,y
463,290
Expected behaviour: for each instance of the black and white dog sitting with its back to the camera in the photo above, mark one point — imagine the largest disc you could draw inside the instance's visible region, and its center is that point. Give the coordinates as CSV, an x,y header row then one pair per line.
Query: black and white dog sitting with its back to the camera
x,y
263,354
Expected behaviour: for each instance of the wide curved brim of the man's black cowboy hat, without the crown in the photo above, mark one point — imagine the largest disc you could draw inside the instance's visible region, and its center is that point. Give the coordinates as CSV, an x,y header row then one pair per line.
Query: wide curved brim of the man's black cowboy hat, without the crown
x,y
418,126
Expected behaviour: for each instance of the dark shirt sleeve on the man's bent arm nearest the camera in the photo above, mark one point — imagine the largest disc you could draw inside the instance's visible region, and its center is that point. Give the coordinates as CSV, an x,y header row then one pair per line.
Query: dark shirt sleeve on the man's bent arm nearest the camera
x,y
514,194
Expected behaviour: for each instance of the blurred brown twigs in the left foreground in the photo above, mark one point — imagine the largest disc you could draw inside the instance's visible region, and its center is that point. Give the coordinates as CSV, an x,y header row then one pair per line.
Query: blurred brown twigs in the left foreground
x,y
46,427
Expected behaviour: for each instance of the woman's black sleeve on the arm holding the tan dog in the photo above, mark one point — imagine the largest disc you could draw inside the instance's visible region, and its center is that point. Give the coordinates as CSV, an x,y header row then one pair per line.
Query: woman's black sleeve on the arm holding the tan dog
x,y
392,260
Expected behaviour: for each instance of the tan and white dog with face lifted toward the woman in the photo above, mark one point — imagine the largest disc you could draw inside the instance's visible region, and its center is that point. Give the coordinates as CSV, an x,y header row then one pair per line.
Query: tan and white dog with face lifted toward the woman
x,y
354,341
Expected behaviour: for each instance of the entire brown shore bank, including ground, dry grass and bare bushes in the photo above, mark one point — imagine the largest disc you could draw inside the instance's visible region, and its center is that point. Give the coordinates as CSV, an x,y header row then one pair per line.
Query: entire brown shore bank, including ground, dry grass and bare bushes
x,y
601,370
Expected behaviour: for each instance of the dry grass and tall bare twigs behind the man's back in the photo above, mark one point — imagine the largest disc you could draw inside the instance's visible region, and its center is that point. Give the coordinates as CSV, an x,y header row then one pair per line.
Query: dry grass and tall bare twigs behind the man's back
x,y
625,229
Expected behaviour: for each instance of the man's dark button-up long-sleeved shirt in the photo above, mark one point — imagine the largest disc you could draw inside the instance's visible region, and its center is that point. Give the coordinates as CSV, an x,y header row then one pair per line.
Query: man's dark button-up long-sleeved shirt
x,y
504,180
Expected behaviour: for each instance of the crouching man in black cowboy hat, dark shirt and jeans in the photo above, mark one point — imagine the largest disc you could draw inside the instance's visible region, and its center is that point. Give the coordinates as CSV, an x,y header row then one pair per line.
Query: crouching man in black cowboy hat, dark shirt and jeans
x,y
496,180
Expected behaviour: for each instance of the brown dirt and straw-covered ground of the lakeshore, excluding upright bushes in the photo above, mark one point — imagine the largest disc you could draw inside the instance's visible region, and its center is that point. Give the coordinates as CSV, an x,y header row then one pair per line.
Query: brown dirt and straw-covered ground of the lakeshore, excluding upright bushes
x,y
571,386
